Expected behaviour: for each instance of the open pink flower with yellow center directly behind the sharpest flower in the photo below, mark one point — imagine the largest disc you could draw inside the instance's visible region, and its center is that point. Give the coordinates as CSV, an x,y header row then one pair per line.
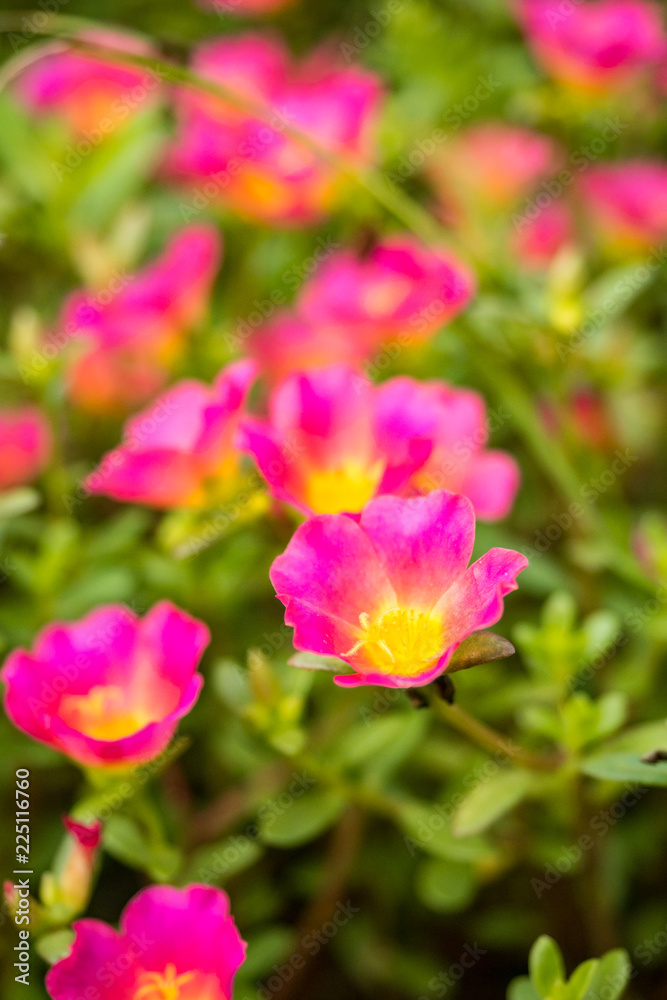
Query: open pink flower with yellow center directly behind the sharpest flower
x,y
321,449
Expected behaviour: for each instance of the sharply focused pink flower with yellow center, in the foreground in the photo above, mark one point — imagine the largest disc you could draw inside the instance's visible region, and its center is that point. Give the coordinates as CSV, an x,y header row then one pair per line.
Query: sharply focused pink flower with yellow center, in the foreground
x,y
389,592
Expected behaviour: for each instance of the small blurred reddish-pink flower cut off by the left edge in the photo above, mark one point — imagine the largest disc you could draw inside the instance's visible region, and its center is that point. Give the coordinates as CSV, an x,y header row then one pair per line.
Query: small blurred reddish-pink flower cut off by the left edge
x,y
25,445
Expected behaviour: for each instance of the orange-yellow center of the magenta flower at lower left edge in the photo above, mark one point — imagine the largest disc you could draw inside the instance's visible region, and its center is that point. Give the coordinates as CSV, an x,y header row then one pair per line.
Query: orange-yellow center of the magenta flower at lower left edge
x,y
103,713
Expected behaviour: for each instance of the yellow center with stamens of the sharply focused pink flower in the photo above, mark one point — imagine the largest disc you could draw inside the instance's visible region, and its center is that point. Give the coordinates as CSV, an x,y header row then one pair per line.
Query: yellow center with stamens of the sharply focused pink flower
x,y
401,641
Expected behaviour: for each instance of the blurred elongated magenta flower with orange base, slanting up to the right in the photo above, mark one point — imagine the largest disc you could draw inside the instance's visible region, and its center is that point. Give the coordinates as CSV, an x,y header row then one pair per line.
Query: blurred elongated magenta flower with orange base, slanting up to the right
x,y
131,333
